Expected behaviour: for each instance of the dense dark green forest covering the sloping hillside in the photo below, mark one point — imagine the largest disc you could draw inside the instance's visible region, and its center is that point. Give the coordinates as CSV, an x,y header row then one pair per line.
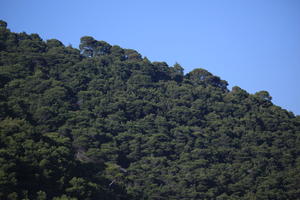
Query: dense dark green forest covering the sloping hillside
x,y
103,122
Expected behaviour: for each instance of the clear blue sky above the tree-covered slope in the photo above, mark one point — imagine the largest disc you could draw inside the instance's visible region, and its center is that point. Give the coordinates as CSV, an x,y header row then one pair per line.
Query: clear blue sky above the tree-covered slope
x,y
254,44
